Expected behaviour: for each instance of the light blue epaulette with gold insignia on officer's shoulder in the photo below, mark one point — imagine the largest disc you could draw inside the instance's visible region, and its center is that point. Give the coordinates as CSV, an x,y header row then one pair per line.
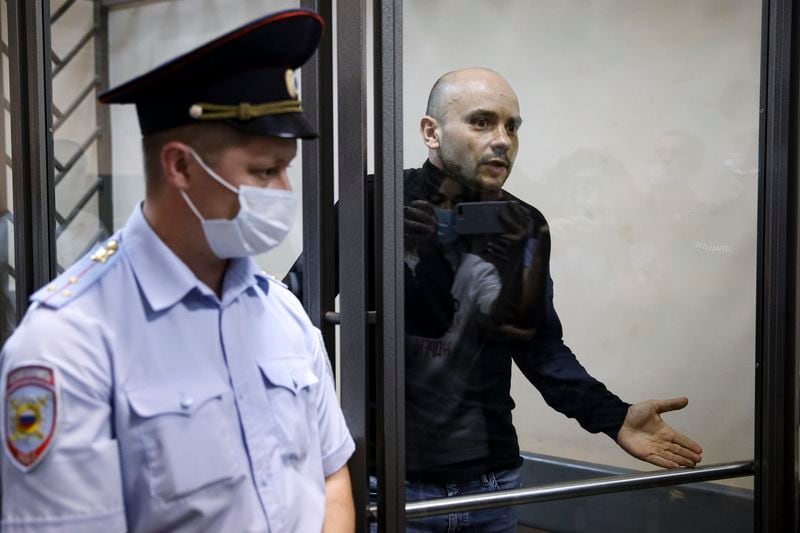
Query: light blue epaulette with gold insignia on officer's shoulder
x,y
79,277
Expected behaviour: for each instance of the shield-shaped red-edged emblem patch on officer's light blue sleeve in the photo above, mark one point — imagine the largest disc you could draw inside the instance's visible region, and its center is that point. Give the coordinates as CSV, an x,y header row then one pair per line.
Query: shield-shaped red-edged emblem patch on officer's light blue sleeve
x,y
30,414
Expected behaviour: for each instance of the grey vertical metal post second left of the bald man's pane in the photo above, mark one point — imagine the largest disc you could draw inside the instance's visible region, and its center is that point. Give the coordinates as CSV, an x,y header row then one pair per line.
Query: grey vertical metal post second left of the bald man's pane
x,y
353,283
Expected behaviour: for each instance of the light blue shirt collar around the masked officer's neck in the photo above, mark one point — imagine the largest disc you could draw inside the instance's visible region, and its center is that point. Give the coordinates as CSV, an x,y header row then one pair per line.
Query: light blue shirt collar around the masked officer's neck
x,y
165,279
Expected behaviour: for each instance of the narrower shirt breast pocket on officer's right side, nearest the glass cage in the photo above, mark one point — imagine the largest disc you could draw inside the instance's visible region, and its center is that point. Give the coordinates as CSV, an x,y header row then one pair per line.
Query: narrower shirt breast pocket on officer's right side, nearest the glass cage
x,y
290,383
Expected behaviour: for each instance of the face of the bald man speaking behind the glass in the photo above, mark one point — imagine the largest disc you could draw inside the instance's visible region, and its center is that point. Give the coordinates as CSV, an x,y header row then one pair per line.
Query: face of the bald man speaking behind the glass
x,y
478,134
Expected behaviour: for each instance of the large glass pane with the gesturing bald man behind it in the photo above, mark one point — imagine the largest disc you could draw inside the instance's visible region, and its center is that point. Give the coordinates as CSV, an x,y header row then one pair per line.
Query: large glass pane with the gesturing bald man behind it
x,y
639,146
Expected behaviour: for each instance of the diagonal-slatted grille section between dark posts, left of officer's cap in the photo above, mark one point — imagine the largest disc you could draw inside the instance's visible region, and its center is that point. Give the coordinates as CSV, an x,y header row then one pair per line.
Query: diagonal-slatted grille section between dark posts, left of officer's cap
x,y
83,214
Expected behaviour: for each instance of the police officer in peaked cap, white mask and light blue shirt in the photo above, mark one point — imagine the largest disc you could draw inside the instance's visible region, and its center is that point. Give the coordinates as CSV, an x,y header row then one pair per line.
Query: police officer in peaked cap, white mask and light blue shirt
x,y
164,383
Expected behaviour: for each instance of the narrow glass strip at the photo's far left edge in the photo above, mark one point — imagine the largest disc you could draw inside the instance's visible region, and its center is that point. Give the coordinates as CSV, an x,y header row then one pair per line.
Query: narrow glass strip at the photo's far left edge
x,y
7,285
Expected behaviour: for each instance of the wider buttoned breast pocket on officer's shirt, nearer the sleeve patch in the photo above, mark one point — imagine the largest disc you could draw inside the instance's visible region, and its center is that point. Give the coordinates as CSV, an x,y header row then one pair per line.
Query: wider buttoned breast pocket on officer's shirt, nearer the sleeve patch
x,y
186,433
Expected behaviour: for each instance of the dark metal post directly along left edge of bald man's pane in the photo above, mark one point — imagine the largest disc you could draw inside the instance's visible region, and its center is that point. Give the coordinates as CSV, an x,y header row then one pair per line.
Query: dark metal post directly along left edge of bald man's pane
x,y
389,283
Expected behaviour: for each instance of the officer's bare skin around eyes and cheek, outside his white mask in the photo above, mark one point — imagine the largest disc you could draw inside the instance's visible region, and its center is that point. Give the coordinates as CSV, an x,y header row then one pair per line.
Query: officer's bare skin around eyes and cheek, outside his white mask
x,y
259,162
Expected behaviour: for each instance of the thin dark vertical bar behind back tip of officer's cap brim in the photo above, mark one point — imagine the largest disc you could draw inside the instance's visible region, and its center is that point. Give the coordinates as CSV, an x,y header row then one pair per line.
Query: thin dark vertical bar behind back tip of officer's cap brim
x,y
103,114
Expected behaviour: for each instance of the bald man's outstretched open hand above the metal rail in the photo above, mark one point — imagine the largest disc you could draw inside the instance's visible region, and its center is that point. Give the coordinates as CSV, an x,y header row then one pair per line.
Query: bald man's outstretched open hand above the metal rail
x,y
646,436
